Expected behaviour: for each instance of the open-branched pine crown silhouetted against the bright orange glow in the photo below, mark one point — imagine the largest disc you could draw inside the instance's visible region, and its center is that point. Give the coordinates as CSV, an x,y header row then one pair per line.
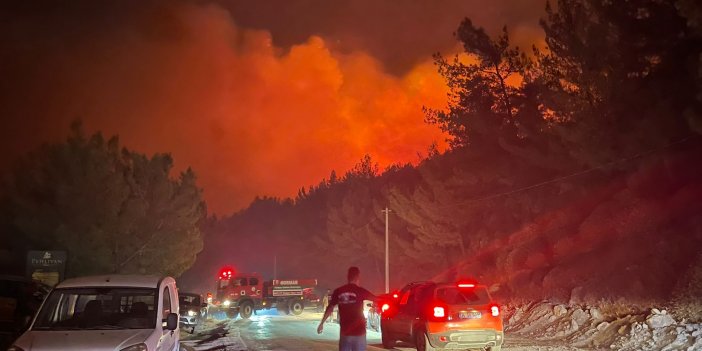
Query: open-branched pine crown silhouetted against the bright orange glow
x,y
482,97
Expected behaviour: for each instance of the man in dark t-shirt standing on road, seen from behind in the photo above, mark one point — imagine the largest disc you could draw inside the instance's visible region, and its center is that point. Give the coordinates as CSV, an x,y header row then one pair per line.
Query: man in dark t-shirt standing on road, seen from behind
x,y
350,299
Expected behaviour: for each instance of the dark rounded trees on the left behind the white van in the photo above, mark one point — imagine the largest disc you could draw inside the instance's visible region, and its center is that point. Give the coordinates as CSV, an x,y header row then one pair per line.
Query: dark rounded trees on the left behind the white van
x,y
113,210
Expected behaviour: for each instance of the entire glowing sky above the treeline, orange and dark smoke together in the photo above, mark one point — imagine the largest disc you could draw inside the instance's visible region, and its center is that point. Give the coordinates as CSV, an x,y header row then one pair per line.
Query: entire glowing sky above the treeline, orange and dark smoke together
x,y
259,97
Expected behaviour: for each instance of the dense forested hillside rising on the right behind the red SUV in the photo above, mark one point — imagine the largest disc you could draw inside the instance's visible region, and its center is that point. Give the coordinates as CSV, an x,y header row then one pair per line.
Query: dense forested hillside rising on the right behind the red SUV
x,y
573,172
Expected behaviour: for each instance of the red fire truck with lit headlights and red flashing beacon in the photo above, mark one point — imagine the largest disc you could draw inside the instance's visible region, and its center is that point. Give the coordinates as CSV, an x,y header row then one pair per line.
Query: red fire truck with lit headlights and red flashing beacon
x,y
245,293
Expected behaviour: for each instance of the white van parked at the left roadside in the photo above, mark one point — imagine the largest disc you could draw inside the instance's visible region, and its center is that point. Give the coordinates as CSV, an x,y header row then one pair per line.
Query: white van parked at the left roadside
x,y
111,312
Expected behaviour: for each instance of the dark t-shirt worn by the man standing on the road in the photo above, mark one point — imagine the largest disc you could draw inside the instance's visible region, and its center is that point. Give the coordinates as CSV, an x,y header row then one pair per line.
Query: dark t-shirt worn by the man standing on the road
x,y
350,298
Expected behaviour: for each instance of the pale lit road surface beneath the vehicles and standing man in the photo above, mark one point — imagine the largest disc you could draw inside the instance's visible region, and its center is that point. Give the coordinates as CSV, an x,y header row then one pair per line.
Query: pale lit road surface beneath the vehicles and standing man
x,y
269,331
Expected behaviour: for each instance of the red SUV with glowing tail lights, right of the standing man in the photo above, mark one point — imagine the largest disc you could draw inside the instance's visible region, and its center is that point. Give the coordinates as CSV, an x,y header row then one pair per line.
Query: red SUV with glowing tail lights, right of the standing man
x,y
444,316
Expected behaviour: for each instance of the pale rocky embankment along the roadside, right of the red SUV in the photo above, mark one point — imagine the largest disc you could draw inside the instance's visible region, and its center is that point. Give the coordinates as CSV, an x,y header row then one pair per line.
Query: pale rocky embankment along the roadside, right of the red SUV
x,y
608,326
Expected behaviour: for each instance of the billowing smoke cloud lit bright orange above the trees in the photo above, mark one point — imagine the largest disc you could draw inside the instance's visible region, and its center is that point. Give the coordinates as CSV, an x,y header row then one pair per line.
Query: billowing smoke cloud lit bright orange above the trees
x,y
250,118
